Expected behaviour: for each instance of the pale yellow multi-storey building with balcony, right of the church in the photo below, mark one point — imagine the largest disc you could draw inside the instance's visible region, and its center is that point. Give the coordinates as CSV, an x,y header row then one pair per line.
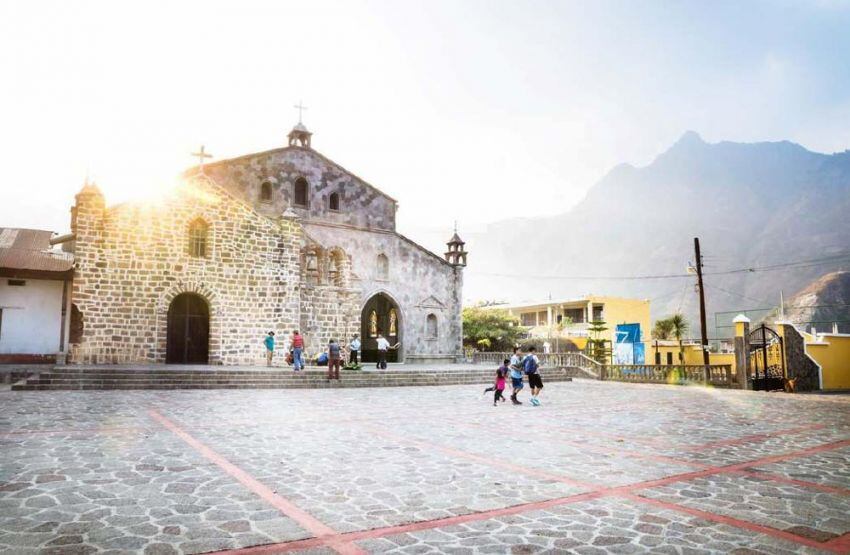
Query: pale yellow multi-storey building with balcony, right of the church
x,y
570,318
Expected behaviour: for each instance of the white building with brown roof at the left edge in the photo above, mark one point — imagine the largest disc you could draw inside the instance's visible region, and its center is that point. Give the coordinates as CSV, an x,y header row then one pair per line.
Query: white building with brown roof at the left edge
x,y
35,286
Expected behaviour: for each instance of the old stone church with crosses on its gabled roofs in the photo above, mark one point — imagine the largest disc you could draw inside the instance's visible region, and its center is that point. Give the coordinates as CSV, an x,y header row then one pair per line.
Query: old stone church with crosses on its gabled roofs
x,y
279,240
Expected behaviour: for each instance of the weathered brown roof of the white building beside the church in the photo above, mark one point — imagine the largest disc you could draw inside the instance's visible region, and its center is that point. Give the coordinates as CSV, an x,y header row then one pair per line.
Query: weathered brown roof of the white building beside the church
x,y
29,249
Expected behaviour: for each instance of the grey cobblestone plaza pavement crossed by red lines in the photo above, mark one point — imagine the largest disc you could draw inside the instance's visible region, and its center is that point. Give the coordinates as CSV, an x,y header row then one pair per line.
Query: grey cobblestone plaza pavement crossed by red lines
x,y
598,468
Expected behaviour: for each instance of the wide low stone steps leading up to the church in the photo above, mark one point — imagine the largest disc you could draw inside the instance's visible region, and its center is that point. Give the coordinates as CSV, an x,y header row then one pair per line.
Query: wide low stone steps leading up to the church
x,y
153,377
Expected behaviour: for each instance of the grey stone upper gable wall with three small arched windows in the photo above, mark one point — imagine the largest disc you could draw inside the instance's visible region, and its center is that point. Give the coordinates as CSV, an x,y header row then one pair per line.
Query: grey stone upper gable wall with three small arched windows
x,y
361,204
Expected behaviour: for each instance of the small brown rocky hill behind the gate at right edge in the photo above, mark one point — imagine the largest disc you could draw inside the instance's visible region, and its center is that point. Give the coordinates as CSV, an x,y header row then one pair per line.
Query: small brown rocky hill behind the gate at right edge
x,y
824,303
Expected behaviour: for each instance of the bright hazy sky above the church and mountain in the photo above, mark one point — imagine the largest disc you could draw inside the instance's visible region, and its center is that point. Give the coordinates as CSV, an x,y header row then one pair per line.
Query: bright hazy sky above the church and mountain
x,y
468,111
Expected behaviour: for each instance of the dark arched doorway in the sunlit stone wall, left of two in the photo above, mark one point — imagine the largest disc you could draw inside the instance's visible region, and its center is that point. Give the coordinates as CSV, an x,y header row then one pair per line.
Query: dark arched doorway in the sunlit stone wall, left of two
x,y
188,330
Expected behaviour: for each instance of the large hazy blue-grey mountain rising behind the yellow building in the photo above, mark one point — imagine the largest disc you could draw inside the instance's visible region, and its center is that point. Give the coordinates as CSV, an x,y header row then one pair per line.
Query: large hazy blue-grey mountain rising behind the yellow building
x,y
751,205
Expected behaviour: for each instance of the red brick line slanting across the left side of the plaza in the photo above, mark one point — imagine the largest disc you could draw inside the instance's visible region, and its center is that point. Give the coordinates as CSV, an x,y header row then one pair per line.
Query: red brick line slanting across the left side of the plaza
x,y
286,507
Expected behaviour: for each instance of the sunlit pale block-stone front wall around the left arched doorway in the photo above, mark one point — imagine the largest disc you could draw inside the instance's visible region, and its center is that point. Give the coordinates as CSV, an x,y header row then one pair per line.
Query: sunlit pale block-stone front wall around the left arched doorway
x,y
132,260
